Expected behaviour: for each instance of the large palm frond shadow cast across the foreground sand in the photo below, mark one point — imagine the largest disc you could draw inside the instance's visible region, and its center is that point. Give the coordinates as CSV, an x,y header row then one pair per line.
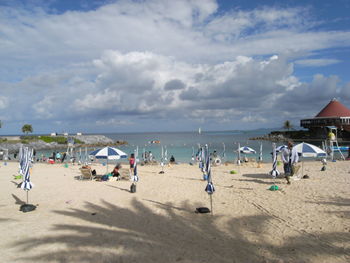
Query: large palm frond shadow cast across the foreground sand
x,y
110,233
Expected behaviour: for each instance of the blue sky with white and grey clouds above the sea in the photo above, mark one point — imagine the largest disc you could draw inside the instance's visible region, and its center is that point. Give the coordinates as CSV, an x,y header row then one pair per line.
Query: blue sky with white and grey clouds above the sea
x,y
158,65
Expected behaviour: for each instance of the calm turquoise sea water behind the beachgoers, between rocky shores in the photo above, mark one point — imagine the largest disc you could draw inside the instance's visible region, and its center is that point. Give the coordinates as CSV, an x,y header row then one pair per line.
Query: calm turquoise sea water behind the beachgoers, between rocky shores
x,y
183,145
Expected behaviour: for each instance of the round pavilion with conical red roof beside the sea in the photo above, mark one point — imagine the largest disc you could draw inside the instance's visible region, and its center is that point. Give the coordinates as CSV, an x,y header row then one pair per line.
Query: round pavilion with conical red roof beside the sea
x,y
334,114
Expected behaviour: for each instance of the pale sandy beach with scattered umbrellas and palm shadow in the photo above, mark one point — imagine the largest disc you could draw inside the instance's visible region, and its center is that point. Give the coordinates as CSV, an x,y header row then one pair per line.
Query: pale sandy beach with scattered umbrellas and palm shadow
x,y
90,221
